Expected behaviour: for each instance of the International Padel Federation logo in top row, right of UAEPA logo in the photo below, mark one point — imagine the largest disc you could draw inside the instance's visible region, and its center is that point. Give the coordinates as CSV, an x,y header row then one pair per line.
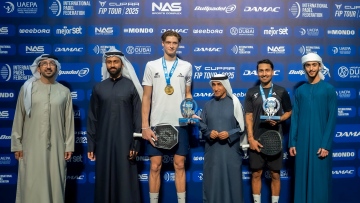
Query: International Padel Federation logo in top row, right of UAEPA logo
x,y
70,8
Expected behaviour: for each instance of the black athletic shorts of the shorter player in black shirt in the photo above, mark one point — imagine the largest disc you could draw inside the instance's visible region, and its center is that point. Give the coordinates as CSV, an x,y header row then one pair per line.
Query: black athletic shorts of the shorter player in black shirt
x,y
258,160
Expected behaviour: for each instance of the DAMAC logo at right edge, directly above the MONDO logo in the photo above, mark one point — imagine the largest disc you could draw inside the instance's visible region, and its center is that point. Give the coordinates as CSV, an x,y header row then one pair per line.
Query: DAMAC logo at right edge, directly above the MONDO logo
x,y
347,133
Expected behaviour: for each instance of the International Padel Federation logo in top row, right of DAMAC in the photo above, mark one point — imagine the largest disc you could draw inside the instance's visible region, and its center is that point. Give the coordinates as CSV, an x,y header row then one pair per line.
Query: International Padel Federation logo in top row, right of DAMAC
x,y
308,10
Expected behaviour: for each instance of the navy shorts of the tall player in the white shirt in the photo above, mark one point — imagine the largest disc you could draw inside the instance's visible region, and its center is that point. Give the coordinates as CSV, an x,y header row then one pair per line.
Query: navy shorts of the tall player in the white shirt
x,y
182,147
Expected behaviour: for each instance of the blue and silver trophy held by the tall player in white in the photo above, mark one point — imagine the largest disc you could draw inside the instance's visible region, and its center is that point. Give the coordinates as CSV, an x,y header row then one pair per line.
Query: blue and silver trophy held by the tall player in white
x,y
188,107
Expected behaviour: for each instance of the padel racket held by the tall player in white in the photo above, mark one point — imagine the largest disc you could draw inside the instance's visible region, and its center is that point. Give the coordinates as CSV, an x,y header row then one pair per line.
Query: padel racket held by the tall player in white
x,y
167,136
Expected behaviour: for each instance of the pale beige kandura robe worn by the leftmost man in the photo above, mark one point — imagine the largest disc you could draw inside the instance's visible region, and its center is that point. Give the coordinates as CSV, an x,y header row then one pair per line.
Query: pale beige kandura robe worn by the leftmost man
x,y
44,137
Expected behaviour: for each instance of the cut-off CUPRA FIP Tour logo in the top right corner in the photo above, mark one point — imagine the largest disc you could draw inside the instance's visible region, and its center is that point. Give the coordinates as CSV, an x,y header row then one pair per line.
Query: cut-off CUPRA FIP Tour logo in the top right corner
x,y
347,11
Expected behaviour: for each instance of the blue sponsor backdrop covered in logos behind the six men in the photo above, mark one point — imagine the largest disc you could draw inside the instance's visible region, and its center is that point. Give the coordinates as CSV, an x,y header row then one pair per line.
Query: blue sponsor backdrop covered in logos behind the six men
x,y
227,36
